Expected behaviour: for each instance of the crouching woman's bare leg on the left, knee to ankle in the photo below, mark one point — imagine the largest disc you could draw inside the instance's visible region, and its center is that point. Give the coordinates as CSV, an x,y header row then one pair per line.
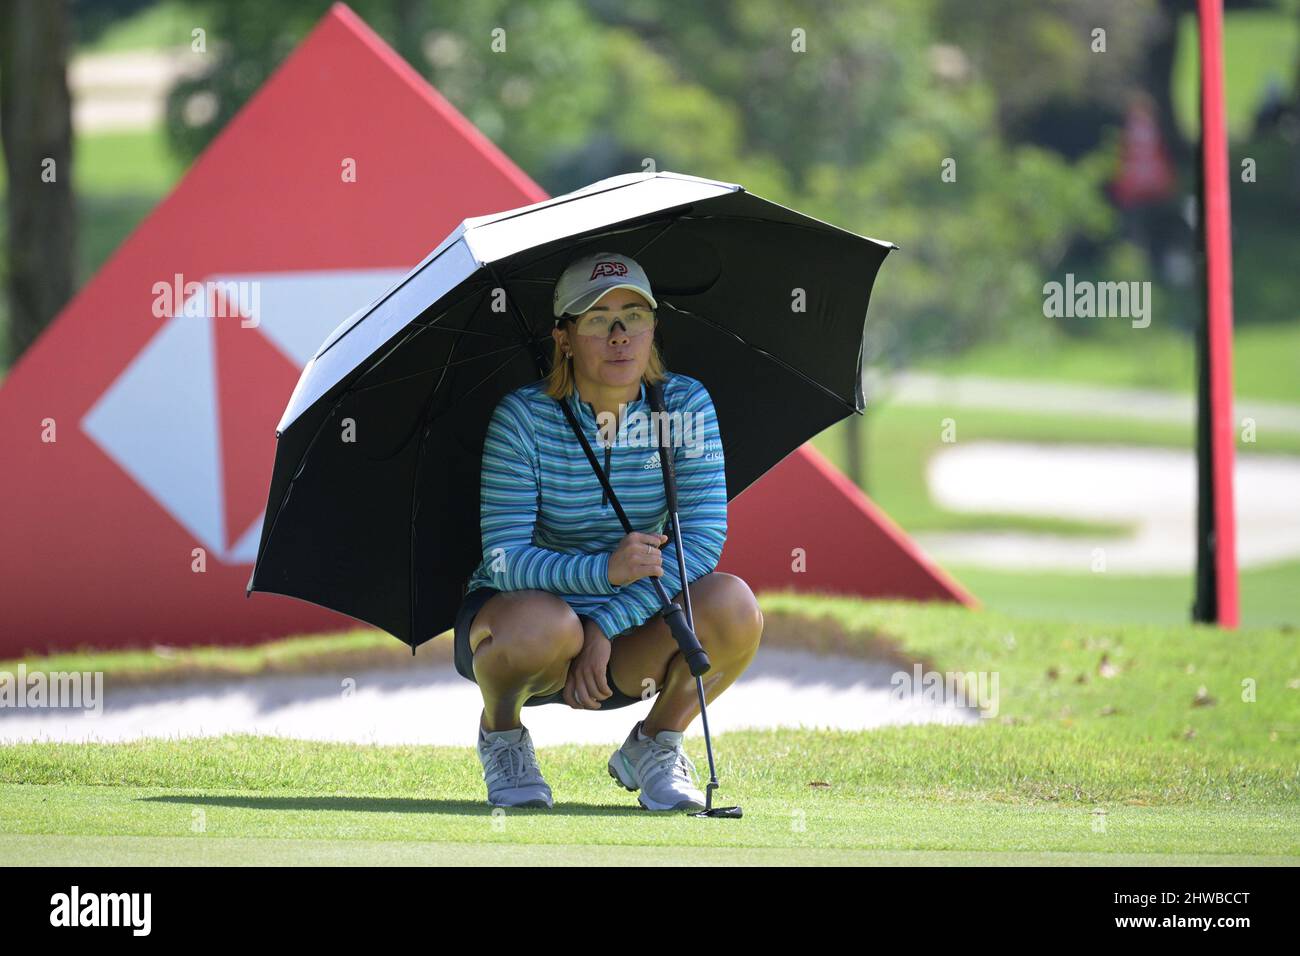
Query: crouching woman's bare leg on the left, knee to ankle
x,y
522,643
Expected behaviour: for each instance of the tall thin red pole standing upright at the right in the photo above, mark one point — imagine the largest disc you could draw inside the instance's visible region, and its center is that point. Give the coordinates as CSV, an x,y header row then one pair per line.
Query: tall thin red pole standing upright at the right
x,y
1219,291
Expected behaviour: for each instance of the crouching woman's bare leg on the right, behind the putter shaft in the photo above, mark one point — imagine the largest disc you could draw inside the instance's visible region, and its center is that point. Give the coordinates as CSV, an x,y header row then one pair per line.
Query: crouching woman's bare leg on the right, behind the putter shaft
x,y
729,625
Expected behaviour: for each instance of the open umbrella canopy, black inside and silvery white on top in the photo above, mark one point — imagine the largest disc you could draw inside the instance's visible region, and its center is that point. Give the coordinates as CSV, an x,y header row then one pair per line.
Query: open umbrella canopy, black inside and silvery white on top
x,y
374,503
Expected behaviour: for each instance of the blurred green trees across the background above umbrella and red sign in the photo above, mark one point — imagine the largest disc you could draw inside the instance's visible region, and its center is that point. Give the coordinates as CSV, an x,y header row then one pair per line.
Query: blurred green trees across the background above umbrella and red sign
x,y
855,131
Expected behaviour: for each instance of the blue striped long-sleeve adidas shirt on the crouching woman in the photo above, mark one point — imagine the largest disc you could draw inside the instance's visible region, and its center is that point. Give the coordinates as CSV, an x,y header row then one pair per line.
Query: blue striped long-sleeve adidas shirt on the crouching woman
x,y
547,522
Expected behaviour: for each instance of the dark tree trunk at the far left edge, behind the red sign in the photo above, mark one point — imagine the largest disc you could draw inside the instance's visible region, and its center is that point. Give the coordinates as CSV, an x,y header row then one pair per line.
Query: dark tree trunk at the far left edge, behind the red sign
x,y
36,123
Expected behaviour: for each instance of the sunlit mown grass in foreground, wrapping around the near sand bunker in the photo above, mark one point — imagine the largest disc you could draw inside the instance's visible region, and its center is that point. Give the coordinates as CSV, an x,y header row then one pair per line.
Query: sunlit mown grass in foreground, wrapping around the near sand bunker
x,y
1084,765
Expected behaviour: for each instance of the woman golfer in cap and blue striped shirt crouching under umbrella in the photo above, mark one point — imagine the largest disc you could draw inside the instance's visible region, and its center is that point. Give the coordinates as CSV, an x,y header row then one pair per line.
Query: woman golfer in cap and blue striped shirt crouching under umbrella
x,y
562,609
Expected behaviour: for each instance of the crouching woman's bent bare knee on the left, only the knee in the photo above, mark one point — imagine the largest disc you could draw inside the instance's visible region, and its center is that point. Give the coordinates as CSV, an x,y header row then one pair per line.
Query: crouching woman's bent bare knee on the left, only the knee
x,y
530,630
